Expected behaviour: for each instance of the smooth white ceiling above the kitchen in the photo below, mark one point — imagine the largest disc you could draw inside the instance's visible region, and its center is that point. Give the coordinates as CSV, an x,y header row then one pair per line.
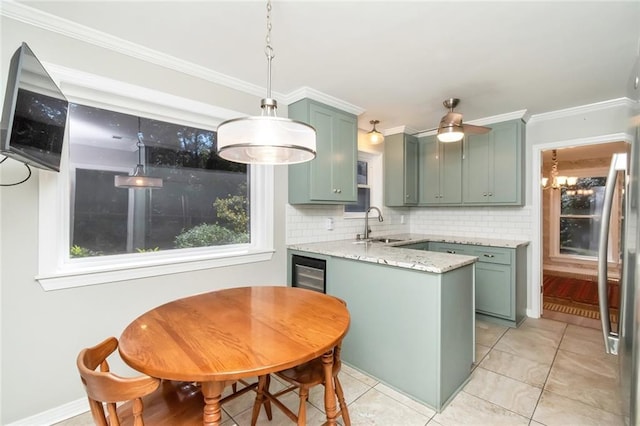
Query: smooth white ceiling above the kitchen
x,y
395,60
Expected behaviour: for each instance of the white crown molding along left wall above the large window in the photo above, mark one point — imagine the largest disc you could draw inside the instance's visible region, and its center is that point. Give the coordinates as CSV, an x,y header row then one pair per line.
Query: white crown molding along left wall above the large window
x,y
65,27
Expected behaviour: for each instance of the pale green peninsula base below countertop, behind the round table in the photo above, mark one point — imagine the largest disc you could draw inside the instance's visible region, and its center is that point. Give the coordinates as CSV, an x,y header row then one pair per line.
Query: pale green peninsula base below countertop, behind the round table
x,y
412,330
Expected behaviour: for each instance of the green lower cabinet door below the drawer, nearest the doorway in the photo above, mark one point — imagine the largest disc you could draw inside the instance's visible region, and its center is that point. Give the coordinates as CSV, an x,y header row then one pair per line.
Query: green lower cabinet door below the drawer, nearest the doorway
x,y
494,289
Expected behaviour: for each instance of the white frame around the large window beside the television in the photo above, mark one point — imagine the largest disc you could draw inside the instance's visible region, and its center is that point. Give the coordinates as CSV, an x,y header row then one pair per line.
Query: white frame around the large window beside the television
x,y
56,270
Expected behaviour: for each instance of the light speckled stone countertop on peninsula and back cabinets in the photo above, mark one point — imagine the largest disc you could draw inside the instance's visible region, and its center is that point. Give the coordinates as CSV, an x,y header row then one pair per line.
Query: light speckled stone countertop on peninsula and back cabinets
x,y
387,254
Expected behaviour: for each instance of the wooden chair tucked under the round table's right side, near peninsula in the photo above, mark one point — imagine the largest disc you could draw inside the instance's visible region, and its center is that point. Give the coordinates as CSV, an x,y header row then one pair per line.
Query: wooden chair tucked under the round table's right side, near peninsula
x,y
302,377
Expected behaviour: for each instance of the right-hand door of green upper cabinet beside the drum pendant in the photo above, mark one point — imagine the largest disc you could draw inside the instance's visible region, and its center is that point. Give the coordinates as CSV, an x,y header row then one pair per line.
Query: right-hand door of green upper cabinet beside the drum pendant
x,y
343,159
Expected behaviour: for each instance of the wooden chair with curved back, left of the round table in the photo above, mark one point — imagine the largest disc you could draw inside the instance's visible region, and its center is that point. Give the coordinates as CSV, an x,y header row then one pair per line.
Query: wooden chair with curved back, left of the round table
x,y
145,399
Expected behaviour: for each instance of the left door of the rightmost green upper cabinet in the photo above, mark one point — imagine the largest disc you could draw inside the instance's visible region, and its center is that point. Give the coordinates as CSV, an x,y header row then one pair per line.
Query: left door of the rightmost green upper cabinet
x,y
476,168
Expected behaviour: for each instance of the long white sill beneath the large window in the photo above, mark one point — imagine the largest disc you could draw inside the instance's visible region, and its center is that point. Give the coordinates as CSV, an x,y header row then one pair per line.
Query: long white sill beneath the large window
x,y
83,275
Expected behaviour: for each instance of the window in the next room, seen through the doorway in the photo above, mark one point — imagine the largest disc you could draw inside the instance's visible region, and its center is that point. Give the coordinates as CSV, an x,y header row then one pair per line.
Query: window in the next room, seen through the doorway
x,y
577,219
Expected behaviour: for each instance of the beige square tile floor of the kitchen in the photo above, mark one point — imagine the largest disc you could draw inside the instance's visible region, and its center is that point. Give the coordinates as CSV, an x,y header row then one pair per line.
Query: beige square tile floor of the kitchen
x,y
545,372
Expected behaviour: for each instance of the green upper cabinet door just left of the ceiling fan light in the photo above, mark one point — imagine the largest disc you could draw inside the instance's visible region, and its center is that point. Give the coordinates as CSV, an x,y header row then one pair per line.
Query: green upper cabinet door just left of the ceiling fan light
x,y
429,171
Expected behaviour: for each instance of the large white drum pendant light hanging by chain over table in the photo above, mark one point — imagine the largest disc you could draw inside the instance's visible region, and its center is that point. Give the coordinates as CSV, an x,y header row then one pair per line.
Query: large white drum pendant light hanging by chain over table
x,y
266,139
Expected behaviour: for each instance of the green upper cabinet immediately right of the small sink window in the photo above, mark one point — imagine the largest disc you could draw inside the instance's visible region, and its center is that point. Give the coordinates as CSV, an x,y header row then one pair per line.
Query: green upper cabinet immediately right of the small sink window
x,y
400,170
